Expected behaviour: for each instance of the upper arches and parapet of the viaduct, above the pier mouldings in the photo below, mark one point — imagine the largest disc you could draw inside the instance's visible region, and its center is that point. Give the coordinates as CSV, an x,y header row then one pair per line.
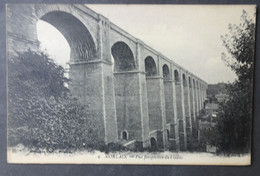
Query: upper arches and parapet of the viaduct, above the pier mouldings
x,y
95,34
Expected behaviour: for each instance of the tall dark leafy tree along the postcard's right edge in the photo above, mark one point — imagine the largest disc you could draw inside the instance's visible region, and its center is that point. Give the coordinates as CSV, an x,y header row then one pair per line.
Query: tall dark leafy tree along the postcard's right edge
x,y
233,128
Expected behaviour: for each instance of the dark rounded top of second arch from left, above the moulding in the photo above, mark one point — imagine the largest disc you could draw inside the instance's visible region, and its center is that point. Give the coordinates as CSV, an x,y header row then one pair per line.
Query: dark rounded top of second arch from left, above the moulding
x,y
123,57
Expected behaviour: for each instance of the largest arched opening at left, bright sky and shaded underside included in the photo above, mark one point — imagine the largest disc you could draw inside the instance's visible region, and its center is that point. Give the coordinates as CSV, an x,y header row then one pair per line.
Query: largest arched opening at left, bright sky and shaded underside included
x,y
65,38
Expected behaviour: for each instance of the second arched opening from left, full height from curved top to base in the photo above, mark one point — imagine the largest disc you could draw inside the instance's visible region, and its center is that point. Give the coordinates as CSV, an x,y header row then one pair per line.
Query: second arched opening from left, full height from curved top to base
x,y
125,88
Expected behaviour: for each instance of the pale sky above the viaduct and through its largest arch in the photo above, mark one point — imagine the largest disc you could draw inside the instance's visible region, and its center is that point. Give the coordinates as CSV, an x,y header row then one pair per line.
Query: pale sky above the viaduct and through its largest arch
x,y
189,35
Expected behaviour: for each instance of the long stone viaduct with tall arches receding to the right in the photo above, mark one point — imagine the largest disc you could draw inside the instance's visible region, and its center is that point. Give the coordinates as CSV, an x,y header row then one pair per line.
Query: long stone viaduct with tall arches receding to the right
x,y
139,96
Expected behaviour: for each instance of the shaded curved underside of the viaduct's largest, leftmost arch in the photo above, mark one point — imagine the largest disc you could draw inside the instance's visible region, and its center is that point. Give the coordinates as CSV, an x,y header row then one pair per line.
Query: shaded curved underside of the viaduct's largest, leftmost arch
x,y
82,46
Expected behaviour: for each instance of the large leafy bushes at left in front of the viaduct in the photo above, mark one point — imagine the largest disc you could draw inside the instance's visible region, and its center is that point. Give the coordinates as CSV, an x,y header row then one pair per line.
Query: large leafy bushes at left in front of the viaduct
x,y
43,116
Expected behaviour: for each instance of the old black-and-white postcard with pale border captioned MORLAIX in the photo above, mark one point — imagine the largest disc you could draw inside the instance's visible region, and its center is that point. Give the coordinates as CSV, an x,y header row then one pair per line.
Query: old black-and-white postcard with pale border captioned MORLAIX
x,y
130,84
